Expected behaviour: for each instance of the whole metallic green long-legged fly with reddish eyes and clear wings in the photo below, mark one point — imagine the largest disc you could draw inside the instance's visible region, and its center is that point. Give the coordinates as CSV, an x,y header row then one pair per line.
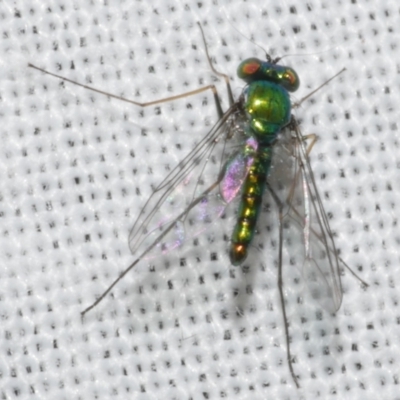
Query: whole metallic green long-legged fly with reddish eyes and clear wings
x,y
259,149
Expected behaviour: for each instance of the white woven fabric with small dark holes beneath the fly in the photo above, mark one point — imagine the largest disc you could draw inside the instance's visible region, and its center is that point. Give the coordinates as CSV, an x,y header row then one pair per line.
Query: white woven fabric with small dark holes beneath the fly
x,y
75,168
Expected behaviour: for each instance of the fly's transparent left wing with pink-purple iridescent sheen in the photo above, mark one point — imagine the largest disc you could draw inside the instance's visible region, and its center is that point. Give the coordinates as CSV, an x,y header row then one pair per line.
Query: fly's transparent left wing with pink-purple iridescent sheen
x,y
188,201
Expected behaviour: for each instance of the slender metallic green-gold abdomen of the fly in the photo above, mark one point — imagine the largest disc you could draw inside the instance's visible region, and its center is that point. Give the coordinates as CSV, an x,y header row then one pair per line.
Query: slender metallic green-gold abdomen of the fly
x,y
249,207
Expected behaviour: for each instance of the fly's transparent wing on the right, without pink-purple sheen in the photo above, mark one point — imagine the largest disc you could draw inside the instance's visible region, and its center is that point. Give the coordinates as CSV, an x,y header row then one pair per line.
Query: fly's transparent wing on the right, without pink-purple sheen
x,y
293,180
